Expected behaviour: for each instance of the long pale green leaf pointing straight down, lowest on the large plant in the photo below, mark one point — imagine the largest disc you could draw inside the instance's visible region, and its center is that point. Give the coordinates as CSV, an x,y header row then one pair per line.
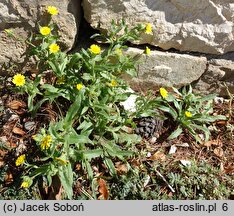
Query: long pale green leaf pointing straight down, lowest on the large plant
x,y
66,178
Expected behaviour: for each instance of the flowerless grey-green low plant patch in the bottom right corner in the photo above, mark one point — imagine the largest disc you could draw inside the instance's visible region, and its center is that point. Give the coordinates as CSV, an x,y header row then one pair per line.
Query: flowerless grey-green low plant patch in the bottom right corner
x,y
200,181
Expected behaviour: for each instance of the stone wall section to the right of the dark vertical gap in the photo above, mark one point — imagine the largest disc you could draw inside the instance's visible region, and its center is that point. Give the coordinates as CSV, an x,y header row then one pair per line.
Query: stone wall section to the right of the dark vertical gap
x,y
201,32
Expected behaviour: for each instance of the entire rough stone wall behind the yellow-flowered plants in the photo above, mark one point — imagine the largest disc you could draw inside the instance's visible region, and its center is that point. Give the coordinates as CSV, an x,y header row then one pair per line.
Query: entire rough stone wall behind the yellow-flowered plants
x,y
201,33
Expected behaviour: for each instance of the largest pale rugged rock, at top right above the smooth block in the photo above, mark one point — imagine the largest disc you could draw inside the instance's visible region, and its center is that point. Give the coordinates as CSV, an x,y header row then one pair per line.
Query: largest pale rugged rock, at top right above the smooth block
x,y
204,26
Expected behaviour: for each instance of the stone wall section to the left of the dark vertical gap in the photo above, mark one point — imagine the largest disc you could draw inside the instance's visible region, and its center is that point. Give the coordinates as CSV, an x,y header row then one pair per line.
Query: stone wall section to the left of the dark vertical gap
x,y
22,17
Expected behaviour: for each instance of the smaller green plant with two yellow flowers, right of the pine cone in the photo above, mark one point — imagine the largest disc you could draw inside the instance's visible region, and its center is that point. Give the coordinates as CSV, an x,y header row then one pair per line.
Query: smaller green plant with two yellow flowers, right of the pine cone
x,y
189,111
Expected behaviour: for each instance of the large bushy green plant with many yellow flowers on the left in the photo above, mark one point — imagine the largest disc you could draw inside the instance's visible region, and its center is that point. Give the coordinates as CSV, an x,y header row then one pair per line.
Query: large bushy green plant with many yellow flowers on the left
x,y
86,90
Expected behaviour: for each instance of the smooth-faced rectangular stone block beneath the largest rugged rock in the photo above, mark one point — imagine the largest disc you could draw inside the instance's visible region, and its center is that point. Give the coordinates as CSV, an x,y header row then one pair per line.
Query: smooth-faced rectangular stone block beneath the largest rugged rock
x,y
165,69
